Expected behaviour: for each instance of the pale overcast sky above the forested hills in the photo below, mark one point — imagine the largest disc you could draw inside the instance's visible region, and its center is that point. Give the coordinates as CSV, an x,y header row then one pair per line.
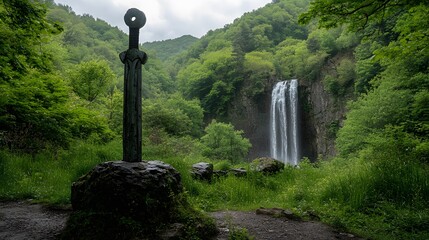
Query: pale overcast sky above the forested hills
x,y
168,19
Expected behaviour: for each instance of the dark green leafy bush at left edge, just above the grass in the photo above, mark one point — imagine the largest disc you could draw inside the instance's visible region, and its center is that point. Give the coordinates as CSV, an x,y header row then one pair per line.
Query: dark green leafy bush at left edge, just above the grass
x,y
33,113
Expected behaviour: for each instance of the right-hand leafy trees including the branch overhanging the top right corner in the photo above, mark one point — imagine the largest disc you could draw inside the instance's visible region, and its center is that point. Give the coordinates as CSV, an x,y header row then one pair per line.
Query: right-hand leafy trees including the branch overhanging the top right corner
x,y
400,84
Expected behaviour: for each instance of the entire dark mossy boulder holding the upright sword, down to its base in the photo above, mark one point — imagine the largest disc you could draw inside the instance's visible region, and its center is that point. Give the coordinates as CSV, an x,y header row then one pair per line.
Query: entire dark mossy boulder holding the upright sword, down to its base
x,y
139,200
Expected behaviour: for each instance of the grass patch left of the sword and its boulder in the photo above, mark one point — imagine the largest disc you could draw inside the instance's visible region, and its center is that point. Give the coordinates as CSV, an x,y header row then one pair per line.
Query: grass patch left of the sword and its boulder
x,y
48,178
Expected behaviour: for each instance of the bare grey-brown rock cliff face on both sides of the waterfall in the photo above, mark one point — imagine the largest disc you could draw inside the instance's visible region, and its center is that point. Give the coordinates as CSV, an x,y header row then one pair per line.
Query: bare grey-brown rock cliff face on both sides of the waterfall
x,y
321,115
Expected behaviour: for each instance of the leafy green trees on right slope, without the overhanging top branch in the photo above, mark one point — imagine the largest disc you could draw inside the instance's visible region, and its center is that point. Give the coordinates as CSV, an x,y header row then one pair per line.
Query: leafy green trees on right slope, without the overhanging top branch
x,y
399,83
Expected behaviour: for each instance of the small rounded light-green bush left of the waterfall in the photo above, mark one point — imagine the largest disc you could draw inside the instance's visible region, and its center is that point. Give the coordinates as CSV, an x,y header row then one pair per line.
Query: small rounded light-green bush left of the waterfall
x,y
222,142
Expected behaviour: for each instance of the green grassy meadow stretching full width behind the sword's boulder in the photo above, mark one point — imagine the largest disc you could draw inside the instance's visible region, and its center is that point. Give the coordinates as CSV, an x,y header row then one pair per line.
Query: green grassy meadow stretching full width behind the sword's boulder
x,y
372,199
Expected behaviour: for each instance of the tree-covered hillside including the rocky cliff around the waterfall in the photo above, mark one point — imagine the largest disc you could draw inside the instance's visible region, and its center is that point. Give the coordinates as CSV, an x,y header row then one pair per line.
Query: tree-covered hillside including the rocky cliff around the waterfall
x,y
232,71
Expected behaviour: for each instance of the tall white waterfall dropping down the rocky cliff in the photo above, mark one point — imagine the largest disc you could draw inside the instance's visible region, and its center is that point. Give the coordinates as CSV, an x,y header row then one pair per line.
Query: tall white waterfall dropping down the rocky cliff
x,y
284,138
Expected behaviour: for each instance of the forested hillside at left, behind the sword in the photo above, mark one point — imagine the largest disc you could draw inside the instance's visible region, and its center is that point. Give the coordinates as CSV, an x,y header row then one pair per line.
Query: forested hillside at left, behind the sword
x,y
61,76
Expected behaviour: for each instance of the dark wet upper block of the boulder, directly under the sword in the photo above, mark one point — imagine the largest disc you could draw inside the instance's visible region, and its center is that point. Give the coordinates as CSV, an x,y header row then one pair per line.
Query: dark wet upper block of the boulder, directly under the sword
x,y
144,191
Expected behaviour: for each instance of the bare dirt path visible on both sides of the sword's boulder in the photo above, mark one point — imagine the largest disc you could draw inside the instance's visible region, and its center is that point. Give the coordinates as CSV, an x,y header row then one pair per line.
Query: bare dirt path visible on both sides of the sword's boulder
x,y
26,221
